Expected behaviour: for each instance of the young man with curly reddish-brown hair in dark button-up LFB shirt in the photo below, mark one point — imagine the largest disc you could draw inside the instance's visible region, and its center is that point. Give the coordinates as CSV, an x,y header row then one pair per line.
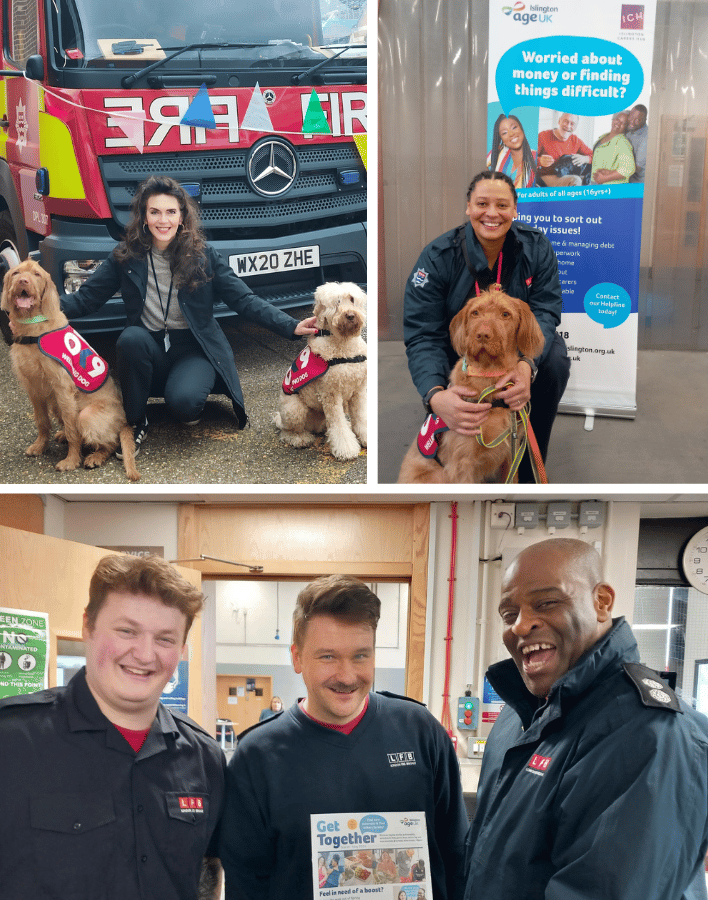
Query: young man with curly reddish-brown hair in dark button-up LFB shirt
x,y
106,793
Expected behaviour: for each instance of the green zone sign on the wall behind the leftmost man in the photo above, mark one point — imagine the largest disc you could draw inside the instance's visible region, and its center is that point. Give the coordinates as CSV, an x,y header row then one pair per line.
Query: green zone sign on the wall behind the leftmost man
x,y
24,651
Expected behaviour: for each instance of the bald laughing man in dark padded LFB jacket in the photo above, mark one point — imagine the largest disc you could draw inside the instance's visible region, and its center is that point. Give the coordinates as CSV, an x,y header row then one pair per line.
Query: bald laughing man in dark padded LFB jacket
x,y
594,782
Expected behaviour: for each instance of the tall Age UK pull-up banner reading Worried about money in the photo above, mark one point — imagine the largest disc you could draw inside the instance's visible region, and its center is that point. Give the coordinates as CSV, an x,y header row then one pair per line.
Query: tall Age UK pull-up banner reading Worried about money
x,y
568,118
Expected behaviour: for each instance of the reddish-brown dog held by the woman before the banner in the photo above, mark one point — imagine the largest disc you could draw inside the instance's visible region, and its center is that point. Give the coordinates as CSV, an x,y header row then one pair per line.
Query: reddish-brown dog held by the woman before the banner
x,y
488,334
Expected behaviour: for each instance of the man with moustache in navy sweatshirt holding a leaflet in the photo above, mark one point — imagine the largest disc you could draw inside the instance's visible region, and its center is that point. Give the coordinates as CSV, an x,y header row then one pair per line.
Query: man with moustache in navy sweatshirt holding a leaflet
x,y
342,749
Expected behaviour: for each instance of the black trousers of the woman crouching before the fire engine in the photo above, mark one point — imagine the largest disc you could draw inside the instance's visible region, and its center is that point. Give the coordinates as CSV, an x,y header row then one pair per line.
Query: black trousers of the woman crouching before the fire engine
x,y
182,375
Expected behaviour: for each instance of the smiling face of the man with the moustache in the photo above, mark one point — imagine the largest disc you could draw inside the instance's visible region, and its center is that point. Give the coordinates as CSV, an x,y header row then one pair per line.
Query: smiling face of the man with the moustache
x,y
336,661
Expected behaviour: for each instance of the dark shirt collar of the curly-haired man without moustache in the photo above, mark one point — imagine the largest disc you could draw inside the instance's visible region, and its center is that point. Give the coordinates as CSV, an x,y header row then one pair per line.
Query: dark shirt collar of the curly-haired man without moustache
x,y
84,714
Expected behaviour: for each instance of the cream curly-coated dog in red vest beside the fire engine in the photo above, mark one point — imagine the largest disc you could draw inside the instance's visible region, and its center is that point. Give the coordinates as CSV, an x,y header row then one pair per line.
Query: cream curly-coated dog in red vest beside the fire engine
x,y
327,382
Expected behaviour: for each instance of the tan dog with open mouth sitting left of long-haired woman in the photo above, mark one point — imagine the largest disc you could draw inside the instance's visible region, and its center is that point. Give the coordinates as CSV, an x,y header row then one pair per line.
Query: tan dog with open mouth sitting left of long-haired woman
x,y
95,420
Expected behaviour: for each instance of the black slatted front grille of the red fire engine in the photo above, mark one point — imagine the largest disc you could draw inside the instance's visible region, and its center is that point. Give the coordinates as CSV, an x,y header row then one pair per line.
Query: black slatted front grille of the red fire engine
x,y
227,201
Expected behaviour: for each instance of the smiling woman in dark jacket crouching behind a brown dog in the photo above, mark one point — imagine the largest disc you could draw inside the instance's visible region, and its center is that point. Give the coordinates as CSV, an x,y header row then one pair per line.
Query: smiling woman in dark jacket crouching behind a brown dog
x,y
490,248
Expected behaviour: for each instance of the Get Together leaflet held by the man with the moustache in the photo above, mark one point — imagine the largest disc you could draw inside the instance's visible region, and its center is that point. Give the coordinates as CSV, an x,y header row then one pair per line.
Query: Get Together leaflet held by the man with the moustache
x,y
382,855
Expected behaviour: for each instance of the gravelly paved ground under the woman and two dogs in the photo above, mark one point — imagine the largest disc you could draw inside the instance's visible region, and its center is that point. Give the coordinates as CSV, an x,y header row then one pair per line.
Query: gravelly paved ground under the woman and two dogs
x,y
212,452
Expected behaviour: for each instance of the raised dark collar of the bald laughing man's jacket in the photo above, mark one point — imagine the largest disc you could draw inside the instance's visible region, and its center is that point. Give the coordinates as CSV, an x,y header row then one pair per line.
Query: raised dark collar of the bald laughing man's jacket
x,y
601,660
